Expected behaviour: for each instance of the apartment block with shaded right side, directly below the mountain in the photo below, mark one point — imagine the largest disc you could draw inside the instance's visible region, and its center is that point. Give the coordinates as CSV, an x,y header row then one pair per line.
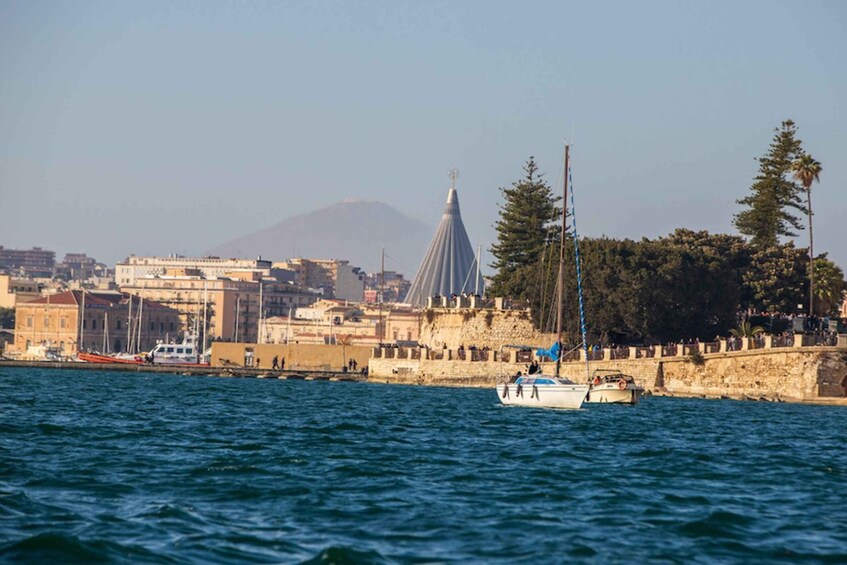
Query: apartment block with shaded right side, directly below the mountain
x,y
336,278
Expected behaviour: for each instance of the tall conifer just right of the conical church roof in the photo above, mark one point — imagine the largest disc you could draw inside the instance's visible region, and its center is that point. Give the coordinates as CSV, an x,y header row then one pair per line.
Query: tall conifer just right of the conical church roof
x,y
526,231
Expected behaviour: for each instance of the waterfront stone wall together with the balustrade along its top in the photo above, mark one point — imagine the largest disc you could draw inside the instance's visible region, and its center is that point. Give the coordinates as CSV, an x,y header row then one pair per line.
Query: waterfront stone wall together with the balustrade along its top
x,y
791,369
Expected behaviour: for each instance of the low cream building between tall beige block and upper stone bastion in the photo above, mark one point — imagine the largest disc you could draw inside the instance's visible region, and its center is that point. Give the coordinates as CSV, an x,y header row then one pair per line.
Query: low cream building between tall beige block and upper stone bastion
x,y
336,322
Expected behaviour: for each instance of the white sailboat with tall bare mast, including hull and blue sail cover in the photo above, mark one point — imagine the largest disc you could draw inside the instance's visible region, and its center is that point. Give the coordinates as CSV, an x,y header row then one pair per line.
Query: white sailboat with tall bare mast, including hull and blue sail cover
x,y
540,390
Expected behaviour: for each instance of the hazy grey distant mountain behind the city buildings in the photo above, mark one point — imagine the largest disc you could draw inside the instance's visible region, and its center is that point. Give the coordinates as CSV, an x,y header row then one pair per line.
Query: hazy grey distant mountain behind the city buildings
x,y
355,230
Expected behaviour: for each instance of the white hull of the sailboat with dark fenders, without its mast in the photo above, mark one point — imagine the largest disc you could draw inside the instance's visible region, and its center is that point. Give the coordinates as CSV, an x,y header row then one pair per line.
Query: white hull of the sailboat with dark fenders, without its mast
x,y
543,391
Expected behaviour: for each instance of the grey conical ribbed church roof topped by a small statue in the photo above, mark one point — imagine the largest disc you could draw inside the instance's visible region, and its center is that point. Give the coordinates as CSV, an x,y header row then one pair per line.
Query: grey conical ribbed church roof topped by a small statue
x,y
449,266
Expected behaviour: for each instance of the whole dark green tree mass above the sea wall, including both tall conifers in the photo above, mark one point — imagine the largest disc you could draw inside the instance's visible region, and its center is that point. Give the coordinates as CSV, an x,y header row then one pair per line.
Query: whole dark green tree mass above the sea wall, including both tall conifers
x,y
689,284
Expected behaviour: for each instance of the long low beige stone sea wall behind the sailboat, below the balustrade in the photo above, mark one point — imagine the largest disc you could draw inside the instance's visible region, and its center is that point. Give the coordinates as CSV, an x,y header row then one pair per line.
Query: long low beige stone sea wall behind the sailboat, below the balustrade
x,y
793,373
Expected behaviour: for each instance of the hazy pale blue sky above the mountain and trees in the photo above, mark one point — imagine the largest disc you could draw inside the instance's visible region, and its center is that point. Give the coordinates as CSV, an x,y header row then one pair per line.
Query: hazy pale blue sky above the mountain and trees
x,y
146,127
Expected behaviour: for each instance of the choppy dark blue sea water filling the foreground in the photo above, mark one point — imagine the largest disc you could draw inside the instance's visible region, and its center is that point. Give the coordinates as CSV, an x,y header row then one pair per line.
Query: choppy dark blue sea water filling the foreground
x,y
121,467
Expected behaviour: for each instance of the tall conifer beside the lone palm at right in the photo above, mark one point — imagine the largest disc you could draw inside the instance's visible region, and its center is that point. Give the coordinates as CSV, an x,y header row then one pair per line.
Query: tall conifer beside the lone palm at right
x,y
774,195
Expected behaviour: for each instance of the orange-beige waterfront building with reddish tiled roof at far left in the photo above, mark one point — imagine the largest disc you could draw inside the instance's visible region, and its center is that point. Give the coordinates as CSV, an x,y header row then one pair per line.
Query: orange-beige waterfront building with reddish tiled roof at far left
x,y
108,322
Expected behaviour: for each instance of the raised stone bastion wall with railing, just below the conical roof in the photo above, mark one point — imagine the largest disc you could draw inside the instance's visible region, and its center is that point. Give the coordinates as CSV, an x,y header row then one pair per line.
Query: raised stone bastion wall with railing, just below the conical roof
x,y
479,326
